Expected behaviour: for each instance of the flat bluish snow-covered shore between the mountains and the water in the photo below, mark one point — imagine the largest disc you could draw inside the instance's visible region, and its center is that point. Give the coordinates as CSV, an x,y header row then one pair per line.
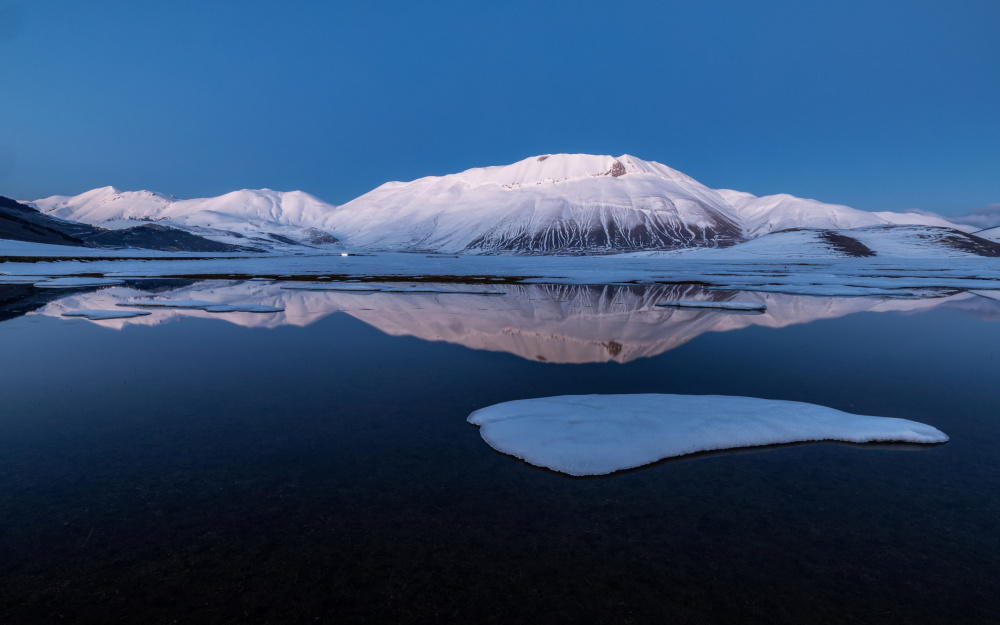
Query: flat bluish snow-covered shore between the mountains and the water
x,y
842,276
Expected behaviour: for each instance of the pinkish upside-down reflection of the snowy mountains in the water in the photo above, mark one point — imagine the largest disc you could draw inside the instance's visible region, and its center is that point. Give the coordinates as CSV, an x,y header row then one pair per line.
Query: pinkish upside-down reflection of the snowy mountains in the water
x,y
552,323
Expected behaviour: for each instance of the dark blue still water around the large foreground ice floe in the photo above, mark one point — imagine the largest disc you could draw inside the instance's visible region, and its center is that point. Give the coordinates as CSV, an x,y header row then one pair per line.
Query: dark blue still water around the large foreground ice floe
x,y
199,471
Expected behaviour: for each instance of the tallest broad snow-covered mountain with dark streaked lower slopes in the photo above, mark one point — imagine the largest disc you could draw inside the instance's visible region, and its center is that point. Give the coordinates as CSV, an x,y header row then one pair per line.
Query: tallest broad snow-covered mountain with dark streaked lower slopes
x,y
545,204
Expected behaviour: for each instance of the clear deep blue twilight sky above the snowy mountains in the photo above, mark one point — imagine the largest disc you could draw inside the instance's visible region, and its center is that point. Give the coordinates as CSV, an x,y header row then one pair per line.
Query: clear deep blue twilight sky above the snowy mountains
x,y
878,105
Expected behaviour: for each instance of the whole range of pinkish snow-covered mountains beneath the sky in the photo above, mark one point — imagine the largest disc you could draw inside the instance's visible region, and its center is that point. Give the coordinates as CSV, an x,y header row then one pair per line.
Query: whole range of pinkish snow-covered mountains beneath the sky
x,y
558,203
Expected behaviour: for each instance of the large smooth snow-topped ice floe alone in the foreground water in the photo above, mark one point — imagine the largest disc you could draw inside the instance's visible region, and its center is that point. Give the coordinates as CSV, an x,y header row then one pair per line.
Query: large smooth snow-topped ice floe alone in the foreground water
x,y
601,434
